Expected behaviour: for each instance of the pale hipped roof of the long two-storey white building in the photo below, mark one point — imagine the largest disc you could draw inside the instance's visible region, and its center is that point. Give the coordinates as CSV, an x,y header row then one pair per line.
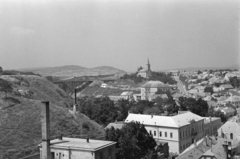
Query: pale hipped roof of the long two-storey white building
x,y
164,121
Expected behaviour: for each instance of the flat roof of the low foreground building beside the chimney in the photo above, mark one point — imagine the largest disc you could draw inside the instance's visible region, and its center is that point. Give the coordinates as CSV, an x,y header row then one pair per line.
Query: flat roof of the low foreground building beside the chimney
x,y
80,144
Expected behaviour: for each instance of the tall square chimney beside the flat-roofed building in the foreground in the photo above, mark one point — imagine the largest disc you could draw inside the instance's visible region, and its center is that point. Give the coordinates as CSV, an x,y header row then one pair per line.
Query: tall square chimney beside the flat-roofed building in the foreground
x,y
45,119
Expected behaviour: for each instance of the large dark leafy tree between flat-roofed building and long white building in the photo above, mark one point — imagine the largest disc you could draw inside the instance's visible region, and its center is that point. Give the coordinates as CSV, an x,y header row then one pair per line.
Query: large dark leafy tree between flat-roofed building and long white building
x,y
133,141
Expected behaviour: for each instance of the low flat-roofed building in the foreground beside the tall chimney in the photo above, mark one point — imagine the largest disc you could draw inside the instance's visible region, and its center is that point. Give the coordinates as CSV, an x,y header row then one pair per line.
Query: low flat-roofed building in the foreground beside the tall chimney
x,y
76,148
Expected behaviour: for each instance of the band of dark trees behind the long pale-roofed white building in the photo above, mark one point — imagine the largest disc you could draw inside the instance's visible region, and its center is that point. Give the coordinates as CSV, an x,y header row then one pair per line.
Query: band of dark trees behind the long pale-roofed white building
x,y
104,111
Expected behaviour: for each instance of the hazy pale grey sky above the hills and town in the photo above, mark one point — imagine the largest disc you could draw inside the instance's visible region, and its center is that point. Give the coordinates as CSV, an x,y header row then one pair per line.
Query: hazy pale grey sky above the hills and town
x,y
122,34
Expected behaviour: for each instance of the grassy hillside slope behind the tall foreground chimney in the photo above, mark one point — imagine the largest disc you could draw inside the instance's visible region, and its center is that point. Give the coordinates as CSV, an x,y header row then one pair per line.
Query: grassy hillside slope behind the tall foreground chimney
x,y
20,127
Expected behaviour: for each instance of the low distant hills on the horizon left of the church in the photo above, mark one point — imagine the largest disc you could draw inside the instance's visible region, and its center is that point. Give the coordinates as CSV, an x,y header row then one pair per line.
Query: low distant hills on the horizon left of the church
x,y
74,70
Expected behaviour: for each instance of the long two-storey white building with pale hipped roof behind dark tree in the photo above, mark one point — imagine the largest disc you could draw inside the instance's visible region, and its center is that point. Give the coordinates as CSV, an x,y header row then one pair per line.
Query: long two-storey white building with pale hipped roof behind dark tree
x,y
179,131
